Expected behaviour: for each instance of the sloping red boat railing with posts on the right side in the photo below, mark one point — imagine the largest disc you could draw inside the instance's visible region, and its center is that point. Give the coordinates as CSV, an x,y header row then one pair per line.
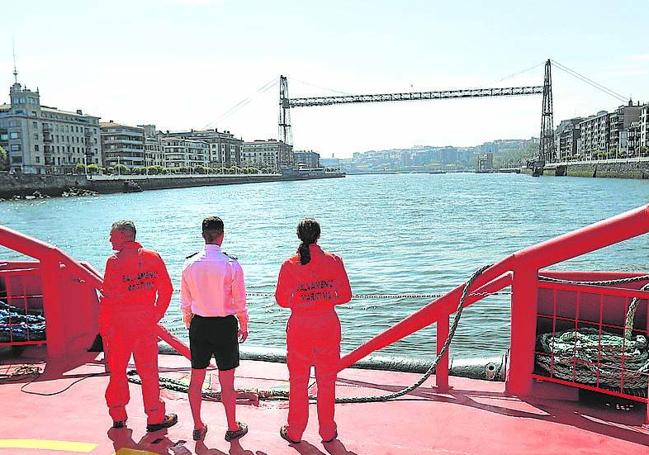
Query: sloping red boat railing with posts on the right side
x,y
521,271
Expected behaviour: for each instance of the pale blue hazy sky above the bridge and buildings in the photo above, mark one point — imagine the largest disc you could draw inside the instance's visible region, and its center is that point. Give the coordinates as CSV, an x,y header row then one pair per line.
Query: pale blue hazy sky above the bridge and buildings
x,y
186,63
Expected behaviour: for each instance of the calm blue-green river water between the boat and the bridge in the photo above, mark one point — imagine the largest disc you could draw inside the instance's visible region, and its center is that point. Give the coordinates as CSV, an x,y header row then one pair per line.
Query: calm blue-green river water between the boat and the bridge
x,y
397,234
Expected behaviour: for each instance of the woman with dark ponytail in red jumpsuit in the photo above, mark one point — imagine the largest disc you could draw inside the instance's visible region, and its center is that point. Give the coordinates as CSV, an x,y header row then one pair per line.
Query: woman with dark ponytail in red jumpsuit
x,y
311,284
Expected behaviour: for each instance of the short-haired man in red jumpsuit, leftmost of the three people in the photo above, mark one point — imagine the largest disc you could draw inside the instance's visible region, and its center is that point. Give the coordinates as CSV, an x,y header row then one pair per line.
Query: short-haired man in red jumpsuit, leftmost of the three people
x,y
135,295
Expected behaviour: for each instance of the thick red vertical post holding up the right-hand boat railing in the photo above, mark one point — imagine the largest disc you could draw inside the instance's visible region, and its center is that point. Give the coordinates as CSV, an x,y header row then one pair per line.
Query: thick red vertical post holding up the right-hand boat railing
x,y
523,329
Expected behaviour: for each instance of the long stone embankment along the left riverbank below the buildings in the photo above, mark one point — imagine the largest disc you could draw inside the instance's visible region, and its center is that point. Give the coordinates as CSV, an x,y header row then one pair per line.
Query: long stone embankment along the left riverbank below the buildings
x,y
26,186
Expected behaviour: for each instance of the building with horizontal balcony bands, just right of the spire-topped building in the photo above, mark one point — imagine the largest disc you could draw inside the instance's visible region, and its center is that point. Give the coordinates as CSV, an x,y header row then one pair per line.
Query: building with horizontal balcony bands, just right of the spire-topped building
x,y
122,145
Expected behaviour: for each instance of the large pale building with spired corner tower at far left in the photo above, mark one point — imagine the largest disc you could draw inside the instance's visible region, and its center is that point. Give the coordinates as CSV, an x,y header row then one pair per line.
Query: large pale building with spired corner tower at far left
x,y
45,140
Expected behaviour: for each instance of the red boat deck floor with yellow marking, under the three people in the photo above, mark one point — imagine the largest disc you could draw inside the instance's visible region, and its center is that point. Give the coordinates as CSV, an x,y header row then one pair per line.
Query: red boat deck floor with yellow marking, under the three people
x,y
474,417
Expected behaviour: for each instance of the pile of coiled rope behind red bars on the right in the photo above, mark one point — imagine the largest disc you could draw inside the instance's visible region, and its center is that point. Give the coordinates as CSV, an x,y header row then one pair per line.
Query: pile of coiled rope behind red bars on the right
x,y
597,357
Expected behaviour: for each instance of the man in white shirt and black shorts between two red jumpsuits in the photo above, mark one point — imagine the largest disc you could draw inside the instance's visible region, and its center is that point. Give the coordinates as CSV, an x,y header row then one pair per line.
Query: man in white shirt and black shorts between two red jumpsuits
x,y
213,300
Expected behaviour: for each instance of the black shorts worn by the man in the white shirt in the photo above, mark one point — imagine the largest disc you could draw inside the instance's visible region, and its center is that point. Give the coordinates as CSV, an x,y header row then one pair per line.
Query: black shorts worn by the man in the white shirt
x,y
214,336
